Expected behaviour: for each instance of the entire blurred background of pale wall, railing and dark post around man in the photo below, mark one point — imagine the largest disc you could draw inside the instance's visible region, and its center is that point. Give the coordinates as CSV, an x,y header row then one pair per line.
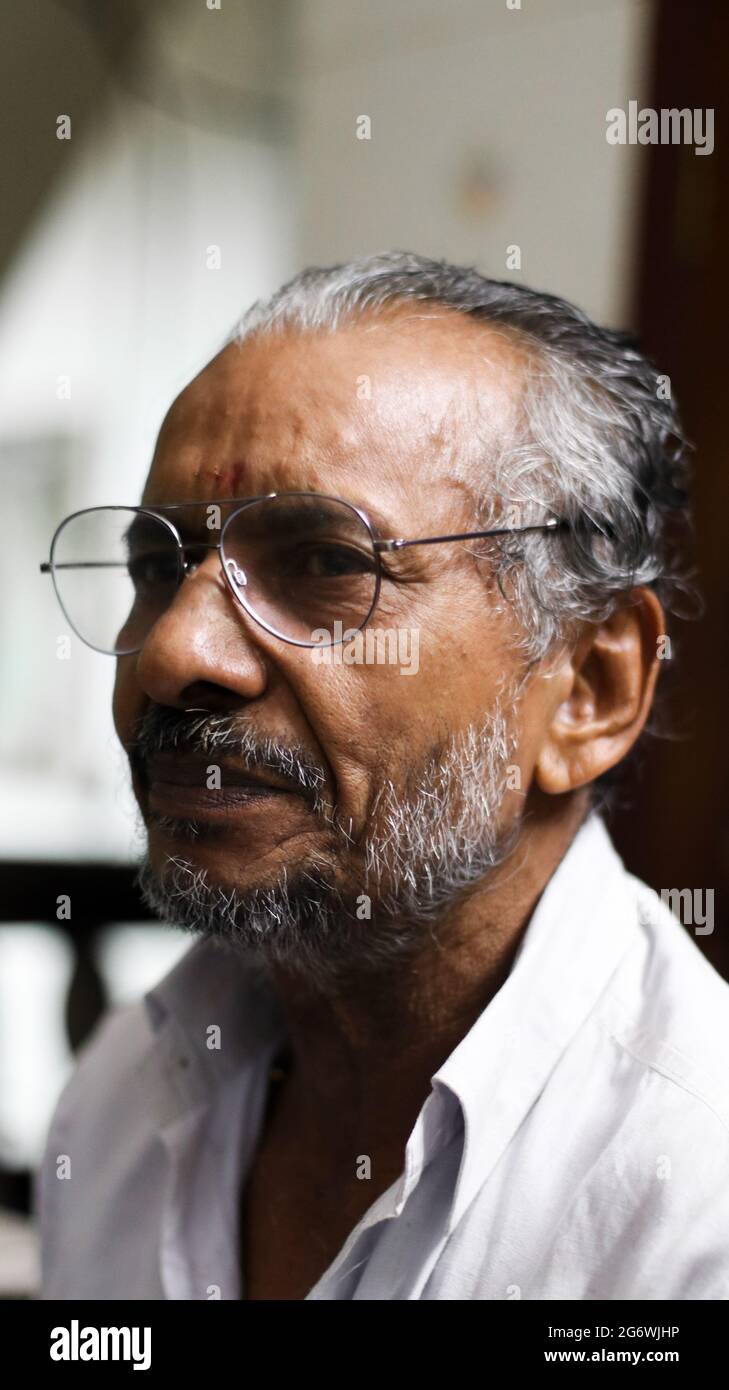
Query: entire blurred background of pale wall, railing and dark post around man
x,y
168,162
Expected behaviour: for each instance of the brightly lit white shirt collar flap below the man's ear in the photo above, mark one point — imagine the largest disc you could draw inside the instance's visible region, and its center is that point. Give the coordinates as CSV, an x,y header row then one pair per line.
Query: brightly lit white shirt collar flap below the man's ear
x,y
582,928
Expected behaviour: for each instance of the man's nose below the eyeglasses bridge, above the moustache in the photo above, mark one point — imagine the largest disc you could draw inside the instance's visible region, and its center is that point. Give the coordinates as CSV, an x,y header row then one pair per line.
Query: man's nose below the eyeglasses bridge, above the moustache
x,y
204,648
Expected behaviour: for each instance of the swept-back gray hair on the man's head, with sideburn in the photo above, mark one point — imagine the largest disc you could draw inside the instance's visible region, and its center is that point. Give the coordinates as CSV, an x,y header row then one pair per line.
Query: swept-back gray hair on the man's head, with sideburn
x,y
599,441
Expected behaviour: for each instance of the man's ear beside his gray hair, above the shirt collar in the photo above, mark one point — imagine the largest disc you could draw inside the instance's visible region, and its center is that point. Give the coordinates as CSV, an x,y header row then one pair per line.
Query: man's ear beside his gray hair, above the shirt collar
x,y
602,696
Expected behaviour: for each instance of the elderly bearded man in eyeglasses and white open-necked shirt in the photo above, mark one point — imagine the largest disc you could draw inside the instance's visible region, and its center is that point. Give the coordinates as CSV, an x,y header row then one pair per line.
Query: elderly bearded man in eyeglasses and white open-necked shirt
x,y
432,1042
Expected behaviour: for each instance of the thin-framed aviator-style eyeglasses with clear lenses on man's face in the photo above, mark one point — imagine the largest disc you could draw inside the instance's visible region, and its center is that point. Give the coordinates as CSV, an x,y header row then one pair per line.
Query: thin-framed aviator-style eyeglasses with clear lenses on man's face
x,y
305,566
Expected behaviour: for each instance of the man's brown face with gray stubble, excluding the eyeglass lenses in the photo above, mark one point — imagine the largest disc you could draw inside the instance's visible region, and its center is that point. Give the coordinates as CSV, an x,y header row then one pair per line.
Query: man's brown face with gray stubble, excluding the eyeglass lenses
x,y
382,415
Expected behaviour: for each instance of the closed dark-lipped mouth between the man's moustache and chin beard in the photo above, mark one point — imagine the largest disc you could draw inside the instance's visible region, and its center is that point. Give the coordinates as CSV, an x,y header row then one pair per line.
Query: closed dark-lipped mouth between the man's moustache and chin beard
x,y
186,786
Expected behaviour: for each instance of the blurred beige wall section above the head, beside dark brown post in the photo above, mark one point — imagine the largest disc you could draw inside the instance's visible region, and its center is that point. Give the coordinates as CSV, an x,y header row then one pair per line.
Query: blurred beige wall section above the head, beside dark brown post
x,y
488,131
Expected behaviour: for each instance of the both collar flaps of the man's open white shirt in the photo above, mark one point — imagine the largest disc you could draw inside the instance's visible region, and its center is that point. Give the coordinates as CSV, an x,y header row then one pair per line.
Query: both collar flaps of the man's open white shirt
x,y
582,928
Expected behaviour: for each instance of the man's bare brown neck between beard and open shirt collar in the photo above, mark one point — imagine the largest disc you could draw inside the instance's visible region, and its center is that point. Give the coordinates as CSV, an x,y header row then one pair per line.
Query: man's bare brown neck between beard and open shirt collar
x,y
364,1057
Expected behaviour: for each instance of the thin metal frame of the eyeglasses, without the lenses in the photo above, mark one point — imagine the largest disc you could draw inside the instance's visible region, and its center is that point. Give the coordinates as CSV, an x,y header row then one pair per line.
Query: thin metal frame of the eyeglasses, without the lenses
x,y
229,566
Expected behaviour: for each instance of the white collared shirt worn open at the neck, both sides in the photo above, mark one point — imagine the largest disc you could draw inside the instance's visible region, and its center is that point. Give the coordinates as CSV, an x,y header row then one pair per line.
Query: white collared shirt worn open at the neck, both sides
x,y
574,1146
